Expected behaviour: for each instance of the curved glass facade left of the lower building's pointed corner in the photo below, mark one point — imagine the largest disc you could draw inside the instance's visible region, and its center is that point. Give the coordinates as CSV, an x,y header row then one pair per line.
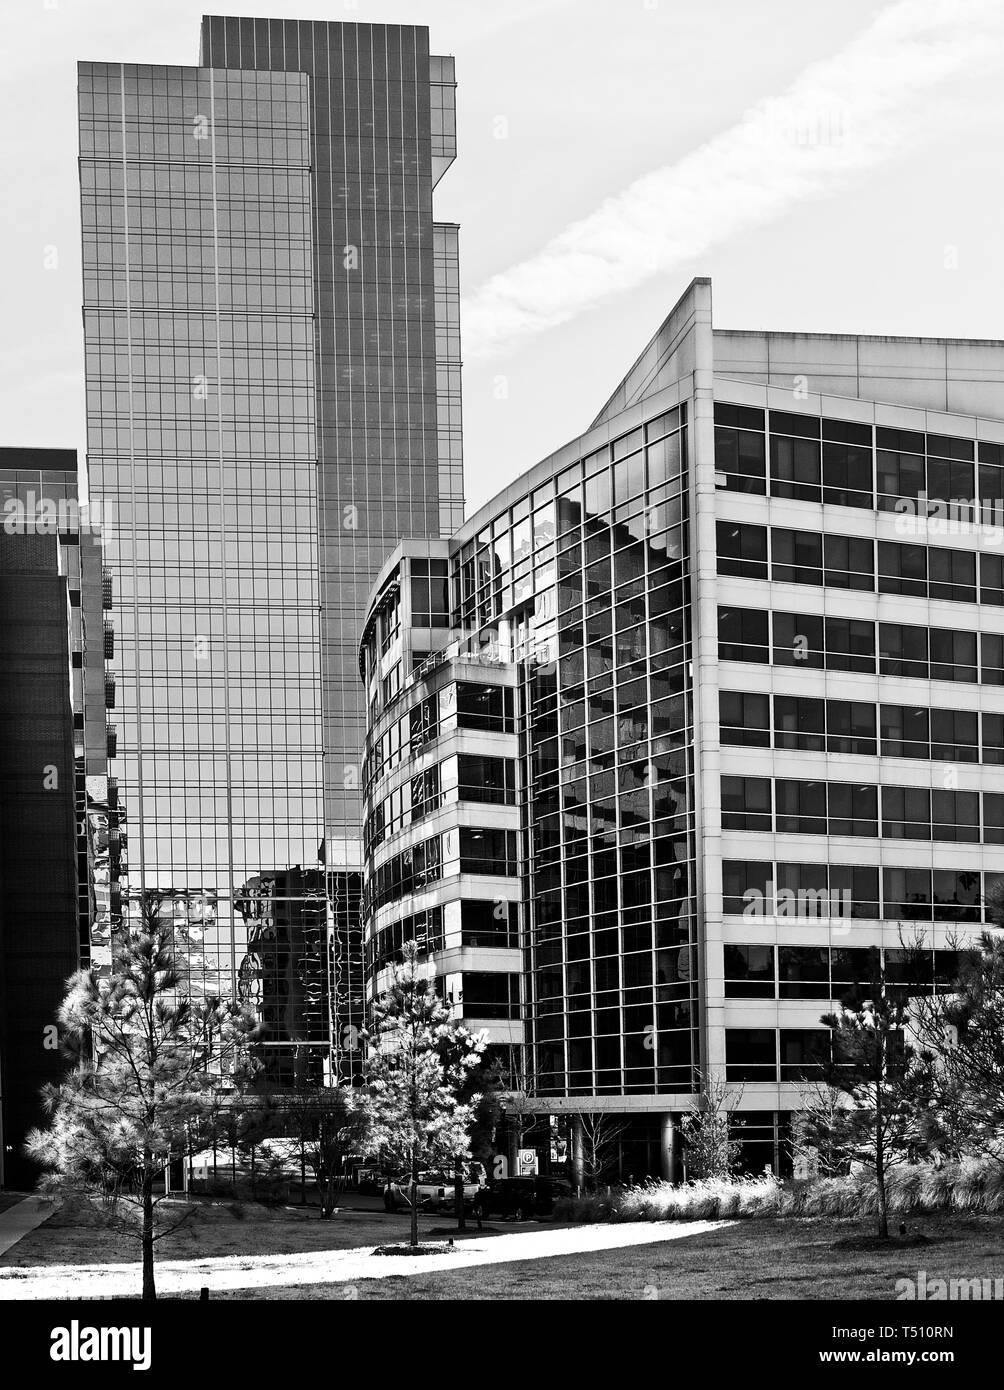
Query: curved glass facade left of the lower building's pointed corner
x,y
579,589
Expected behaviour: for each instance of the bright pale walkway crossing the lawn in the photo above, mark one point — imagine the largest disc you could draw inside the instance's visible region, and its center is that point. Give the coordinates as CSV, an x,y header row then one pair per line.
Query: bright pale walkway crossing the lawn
x,y
333,1267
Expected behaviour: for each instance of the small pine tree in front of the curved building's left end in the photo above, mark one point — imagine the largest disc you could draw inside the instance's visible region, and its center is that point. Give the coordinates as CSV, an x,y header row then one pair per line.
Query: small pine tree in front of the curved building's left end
x,y
416,1071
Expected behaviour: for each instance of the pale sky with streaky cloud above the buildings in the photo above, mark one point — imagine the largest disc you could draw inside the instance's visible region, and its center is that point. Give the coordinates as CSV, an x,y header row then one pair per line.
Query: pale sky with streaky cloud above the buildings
x,y
834,169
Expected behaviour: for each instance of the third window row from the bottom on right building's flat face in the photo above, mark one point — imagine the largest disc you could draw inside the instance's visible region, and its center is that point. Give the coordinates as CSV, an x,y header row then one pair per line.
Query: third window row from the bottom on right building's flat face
x,y
818,892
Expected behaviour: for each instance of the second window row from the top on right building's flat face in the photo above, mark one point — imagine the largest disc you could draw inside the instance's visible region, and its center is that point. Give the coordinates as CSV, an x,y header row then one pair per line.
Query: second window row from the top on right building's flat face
x,y
850,564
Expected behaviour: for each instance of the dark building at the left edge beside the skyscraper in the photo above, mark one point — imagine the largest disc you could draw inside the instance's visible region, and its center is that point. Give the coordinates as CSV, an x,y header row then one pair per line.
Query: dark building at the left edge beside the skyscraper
x,y
54,767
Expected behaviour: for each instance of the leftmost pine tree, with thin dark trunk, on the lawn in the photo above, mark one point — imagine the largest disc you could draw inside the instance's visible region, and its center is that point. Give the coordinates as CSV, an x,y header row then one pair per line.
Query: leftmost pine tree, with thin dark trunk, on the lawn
x,y
154,1071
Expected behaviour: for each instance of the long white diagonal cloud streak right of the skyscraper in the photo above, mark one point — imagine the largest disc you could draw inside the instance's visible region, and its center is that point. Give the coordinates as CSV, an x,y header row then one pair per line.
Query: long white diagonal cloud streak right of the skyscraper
x,y
842,117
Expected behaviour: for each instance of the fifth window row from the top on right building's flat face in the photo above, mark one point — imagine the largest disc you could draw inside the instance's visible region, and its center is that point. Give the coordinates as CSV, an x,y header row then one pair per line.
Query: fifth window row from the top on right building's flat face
x,y
820,808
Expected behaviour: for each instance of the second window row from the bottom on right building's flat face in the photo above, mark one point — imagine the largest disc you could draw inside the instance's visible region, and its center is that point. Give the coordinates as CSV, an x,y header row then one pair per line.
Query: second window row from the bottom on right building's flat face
x,y
754,971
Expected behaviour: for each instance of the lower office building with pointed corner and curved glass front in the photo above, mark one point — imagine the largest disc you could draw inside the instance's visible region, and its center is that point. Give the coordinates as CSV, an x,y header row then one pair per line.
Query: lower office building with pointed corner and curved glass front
x,y
695,715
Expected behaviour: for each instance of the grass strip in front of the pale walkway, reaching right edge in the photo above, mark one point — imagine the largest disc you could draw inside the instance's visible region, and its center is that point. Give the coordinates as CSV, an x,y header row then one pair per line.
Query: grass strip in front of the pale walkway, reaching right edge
x,y
768,1260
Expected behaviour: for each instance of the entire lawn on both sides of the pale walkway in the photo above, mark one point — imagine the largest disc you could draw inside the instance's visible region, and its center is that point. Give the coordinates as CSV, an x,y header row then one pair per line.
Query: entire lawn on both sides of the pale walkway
x,y
752,1260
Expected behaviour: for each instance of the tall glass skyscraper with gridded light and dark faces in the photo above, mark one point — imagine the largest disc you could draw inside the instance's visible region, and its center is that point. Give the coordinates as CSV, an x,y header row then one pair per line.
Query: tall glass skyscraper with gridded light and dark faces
x,y
273,401
